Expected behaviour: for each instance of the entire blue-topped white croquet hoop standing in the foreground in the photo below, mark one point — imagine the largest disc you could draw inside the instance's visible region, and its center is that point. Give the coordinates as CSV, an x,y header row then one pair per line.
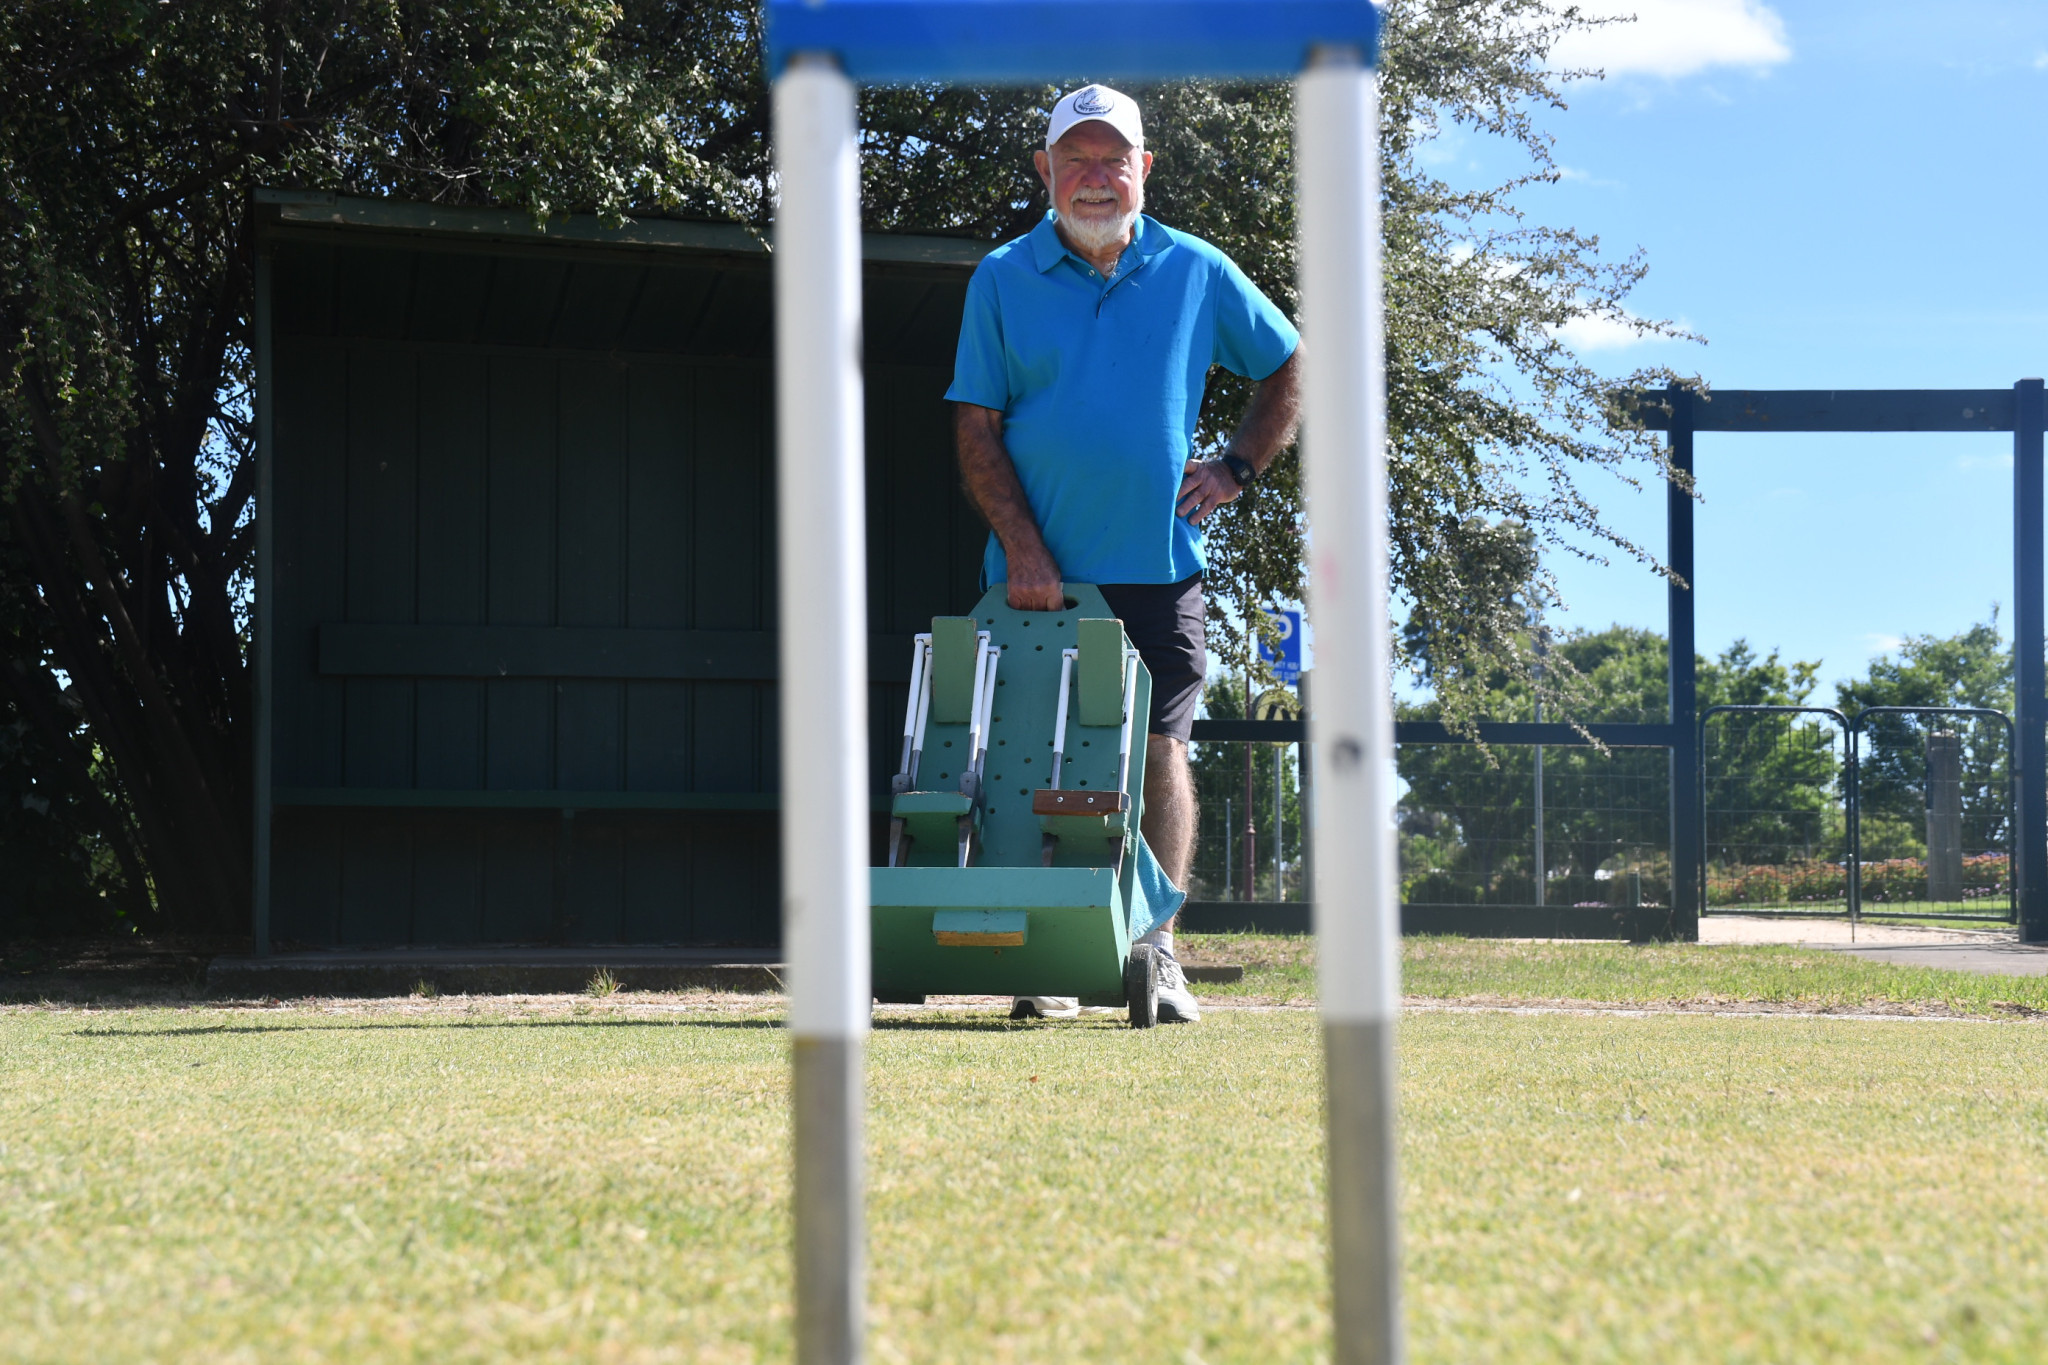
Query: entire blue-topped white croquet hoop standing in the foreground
x,y
816,54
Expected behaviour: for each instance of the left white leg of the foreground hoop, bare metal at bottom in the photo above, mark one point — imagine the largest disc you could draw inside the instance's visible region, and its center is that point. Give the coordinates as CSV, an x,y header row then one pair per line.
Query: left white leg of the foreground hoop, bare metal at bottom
x,y
824,666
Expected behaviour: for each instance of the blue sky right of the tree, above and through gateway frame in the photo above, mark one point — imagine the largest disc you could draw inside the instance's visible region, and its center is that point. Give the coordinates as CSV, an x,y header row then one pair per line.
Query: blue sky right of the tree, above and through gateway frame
x,y
1838,197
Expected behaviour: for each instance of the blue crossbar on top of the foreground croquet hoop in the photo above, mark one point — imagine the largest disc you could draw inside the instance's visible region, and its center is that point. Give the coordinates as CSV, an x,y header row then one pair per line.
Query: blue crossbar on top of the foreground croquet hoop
x,y
1029,42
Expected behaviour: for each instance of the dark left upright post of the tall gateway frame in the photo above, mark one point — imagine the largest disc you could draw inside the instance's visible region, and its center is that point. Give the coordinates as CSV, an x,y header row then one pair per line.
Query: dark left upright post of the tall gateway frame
x,y
1689,852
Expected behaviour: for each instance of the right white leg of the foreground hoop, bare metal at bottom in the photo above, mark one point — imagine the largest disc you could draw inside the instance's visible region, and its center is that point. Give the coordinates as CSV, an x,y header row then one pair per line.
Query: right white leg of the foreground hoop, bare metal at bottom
x,y
1359,920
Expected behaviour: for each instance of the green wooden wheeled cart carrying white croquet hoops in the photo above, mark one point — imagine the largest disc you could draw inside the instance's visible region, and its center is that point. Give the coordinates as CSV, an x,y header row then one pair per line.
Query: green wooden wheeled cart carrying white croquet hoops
x,y
1015,856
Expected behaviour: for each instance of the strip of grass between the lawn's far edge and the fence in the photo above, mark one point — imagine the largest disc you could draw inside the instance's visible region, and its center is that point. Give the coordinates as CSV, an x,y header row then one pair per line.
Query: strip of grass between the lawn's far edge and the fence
x,y
1283,969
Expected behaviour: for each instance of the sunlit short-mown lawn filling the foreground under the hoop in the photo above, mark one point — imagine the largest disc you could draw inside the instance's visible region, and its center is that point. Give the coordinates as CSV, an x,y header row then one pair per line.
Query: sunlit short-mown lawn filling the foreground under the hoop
x,y
605,1182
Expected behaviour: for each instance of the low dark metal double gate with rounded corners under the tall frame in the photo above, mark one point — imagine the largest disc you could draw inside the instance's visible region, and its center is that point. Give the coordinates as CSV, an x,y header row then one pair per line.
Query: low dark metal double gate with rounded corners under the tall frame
x,y
1902,813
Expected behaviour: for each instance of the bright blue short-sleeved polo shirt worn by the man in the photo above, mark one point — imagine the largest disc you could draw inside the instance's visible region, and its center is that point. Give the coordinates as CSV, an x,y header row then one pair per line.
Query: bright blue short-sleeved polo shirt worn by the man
x,y
1101,384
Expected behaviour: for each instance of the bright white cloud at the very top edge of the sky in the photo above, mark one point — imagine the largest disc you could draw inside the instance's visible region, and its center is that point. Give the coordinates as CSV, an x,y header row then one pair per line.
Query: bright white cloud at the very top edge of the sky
x,y
1676,38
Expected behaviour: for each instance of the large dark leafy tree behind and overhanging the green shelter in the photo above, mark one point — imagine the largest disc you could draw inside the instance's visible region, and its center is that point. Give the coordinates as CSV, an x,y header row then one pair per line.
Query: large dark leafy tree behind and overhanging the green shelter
x,y
134,132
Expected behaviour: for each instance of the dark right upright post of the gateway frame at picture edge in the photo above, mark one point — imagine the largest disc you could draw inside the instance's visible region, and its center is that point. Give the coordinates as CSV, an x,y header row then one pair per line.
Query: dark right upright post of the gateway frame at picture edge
x,y
2031,672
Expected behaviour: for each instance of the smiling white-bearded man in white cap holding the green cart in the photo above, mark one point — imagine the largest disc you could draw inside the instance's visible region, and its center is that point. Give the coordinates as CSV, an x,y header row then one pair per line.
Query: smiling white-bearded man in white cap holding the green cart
x,y
1078,386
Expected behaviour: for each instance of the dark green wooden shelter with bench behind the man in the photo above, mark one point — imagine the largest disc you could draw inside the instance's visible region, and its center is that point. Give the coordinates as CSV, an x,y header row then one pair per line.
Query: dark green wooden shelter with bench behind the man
x,y
521,586
